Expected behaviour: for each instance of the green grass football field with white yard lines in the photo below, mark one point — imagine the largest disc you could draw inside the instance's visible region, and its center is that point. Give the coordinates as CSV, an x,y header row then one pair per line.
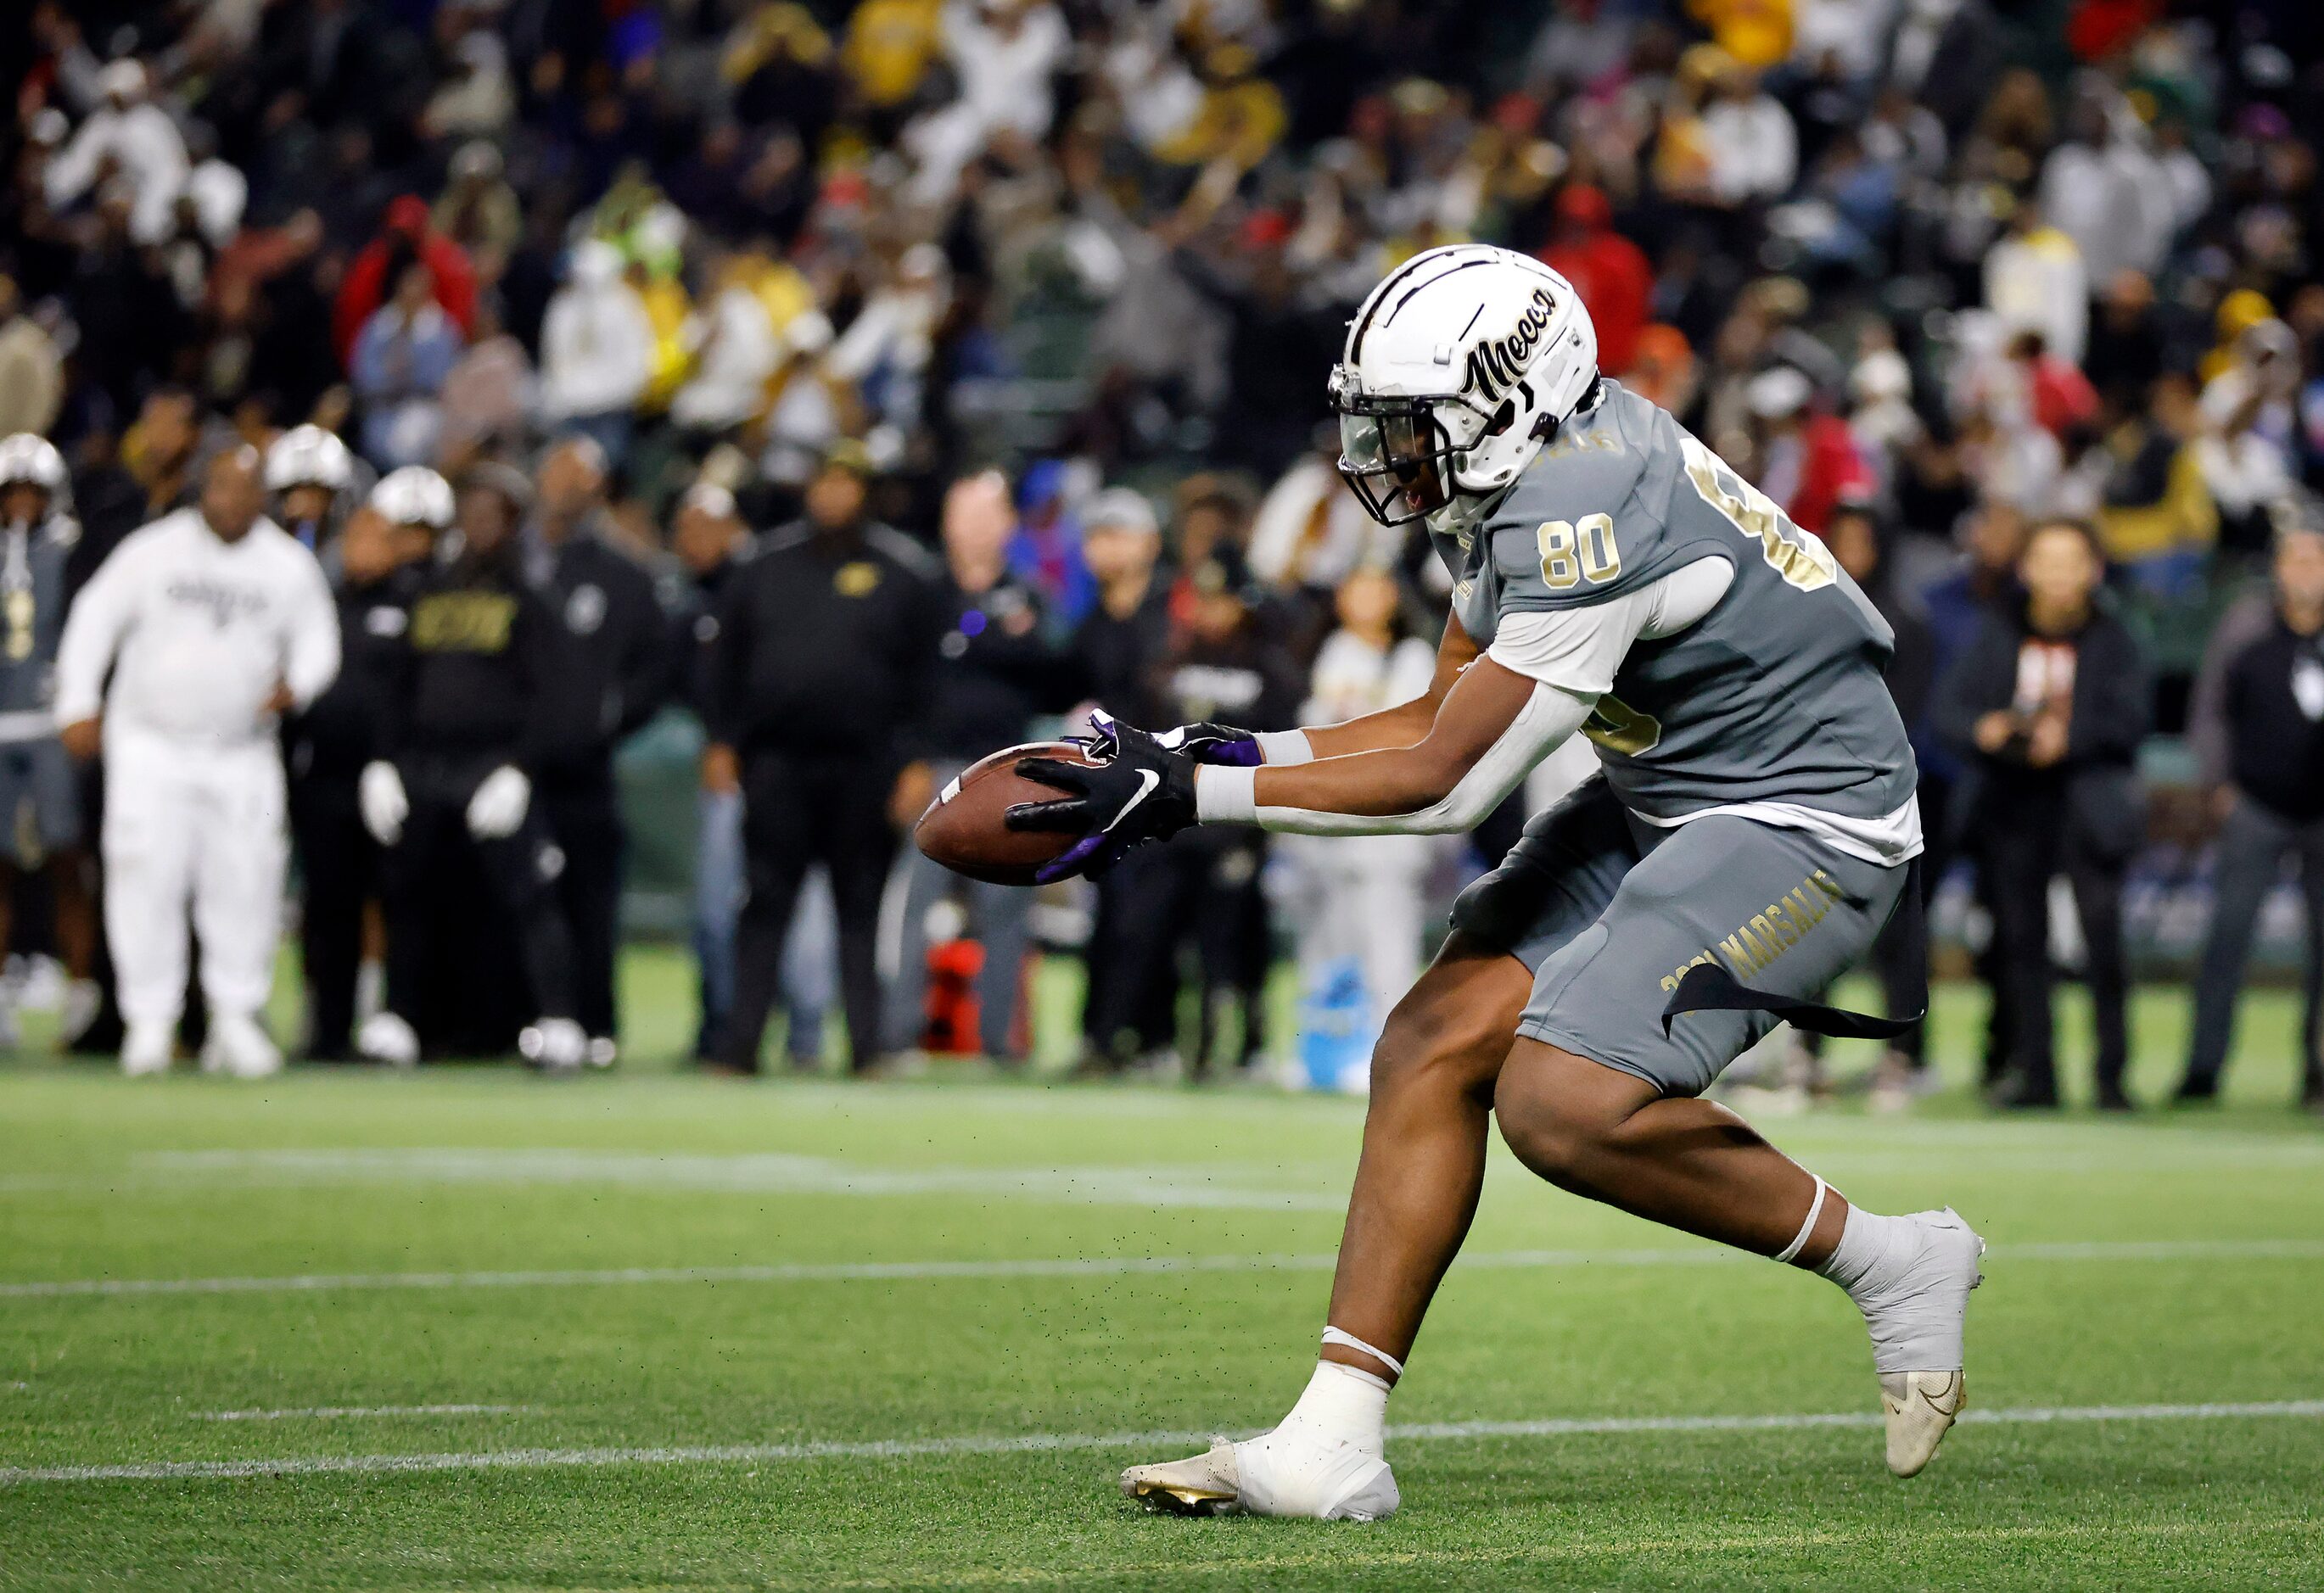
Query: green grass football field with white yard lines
x,y
487,1332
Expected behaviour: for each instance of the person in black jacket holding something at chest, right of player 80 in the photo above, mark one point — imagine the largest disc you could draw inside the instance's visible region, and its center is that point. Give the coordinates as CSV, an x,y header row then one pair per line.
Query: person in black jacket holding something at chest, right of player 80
x,y
2051,705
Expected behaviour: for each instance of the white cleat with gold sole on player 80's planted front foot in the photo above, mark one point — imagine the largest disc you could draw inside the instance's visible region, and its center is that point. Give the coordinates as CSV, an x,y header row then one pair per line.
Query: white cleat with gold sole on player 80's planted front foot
x,y
1286,1473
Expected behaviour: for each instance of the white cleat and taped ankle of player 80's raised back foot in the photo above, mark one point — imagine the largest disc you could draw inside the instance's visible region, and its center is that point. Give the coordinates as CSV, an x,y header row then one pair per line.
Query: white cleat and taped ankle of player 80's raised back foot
x,y
1916,1327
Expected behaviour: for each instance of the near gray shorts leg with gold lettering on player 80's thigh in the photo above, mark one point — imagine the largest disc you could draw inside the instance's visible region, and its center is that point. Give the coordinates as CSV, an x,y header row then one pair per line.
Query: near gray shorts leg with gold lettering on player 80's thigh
x,y
1774,907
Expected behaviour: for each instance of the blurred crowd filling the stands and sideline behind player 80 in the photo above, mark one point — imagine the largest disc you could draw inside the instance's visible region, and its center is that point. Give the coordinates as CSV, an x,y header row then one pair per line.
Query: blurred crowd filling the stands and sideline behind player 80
x,y
882,382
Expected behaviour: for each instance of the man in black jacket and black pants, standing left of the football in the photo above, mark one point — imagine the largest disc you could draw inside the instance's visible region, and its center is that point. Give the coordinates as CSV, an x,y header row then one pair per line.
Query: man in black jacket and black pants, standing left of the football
x,y
822,677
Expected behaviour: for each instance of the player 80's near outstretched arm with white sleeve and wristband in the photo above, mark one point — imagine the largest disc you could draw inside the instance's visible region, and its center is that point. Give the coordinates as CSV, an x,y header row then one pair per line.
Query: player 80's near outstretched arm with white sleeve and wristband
x,y
1491,728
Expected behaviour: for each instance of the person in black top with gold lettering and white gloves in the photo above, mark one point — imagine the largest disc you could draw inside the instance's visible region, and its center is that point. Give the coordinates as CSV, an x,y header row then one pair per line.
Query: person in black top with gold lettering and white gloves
x,y
468,716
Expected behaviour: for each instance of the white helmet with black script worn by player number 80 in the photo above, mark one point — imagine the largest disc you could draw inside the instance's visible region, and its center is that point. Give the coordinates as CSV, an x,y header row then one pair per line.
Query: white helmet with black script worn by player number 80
x,y
1461,366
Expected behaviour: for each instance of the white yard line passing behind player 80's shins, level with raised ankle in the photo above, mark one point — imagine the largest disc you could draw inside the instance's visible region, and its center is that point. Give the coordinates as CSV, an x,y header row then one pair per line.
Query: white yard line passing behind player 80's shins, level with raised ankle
x,y
1079,1267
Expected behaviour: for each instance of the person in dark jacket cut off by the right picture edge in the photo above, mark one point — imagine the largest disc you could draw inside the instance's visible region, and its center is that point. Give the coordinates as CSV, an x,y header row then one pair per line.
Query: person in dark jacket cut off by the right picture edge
x,y
2260,730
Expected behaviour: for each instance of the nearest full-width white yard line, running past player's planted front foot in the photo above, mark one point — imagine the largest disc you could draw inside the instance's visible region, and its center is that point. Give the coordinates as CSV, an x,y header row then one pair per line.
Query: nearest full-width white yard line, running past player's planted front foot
x,y
1035,1443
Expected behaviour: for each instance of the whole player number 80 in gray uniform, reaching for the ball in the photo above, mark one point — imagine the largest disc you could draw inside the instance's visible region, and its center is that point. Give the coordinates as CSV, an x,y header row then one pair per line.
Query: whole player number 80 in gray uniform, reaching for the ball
x,y
1751,832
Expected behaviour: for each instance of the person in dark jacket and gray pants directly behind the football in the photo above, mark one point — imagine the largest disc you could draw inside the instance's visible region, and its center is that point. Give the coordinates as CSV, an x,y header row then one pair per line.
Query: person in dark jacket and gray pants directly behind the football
x,y
998,672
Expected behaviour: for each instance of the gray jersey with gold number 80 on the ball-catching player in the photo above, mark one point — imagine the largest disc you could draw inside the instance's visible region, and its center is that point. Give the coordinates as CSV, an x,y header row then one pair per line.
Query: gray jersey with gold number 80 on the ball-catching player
x,y
1774,695
